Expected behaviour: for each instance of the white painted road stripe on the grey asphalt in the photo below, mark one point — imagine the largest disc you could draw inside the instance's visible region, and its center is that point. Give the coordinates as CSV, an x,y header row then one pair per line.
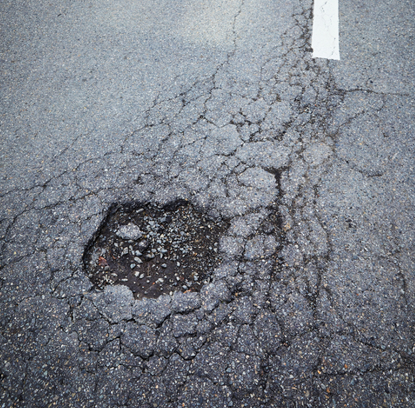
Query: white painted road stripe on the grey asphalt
x,y
325,38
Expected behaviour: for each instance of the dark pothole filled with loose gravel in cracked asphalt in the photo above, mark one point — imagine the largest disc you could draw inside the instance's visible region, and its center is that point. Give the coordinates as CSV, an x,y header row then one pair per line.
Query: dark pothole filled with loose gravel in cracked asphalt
x,y
154,251
